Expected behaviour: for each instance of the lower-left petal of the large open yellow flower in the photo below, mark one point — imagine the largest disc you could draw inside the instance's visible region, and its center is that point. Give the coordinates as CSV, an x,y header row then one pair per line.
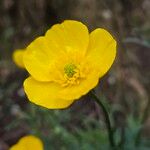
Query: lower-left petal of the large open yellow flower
x,y
45,94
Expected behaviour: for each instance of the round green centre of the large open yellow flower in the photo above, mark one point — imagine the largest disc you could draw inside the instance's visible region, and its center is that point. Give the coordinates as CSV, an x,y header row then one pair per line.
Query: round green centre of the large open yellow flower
x,y
70,70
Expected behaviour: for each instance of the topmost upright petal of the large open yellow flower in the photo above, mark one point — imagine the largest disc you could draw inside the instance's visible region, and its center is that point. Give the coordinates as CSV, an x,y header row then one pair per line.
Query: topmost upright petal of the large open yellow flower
x,y
68,36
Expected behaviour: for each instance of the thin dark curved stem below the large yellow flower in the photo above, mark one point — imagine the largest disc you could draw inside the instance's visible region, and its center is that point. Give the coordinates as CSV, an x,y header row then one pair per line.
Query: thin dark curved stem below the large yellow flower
x,y
107,120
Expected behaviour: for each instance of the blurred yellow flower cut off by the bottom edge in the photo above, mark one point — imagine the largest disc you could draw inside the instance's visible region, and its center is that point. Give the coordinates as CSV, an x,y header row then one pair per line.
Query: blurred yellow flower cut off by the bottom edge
x,y
28,143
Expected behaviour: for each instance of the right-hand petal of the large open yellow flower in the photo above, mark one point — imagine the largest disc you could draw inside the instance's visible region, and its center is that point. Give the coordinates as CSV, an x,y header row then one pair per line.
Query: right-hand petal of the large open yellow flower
x,y
102,50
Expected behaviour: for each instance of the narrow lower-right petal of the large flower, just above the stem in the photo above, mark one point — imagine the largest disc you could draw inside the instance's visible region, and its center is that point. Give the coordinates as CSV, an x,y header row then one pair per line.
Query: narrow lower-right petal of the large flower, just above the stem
x,y
78,90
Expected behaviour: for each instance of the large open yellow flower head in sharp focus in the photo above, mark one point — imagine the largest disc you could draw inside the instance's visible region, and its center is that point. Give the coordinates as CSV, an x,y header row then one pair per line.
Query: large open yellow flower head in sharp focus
x,y
66,63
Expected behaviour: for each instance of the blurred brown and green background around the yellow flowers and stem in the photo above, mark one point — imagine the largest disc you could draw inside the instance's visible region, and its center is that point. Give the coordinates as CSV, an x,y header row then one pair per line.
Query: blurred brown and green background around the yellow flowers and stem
x,y
125,90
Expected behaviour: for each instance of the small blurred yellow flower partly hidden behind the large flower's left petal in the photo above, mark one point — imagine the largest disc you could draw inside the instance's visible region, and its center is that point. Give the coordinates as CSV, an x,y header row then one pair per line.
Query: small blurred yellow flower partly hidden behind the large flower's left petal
x,y
18,57
